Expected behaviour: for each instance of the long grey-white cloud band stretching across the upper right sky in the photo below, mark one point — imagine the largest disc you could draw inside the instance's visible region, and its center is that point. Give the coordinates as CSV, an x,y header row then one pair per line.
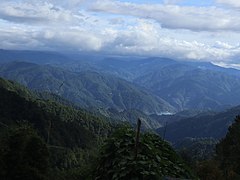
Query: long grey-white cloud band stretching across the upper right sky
x,y
174,16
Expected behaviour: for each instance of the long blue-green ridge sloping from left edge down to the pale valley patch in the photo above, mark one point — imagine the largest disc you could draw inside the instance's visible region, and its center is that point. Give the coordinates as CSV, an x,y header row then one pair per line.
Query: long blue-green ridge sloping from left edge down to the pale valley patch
x,y
86,89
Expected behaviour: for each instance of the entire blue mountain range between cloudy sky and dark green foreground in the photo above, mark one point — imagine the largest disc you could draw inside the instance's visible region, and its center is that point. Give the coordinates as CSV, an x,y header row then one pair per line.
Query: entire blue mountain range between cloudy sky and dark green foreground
x,y
125,88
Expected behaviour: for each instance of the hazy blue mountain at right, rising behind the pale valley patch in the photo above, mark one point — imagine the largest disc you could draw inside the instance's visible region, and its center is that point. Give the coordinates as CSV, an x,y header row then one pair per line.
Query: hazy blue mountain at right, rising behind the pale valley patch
x,y
187,87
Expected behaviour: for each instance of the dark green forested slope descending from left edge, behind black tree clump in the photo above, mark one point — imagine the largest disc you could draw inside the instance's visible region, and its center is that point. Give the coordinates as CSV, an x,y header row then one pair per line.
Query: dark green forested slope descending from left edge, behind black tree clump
x,y
72,136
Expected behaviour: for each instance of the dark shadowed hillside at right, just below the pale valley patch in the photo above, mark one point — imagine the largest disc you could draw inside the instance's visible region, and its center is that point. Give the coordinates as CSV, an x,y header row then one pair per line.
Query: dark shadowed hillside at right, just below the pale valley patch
x,y
204,125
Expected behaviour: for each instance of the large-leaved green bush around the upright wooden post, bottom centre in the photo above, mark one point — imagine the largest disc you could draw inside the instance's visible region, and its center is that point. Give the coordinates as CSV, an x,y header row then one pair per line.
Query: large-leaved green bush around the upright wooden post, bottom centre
x,y
155,158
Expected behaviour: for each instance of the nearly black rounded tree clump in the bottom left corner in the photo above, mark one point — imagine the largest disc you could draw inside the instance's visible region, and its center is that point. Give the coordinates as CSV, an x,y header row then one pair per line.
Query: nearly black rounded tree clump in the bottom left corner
x,y
24,155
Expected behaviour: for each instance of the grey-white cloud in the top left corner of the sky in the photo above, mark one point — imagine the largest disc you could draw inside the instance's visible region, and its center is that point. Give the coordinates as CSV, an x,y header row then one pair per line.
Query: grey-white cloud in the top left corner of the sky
x,y
28,13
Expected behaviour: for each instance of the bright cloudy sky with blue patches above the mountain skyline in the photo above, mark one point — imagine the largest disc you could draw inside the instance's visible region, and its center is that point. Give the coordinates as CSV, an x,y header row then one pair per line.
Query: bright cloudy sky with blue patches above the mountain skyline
x,y
196,30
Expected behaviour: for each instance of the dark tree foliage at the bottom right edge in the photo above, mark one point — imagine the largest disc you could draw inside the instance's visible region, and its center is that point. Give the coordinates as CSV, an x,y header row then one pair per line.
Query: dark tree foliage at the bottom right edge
x,y
226,164
